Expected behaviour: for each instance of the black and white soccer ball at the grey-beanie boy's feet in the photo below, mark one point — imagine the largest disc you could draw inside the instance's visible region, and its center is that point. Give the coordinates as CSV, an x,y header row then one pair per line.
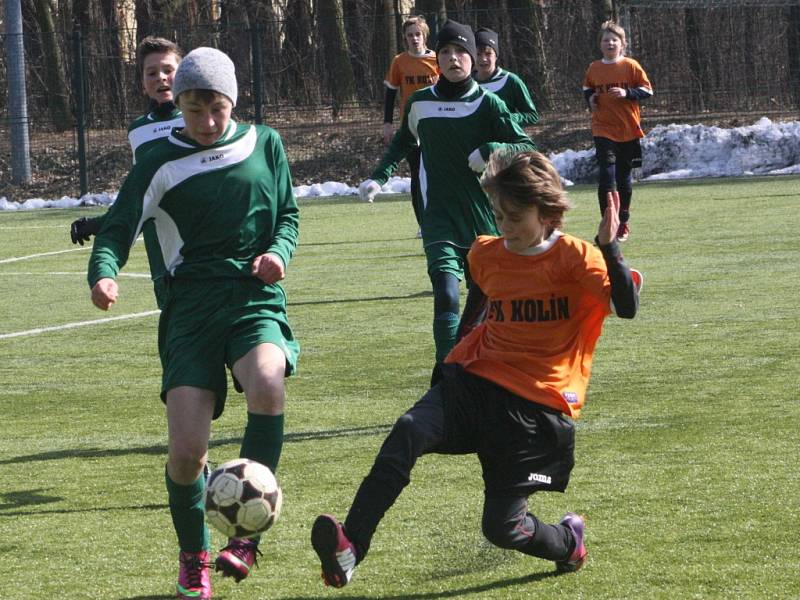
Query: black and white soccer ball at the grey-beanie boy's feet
x,y
243,498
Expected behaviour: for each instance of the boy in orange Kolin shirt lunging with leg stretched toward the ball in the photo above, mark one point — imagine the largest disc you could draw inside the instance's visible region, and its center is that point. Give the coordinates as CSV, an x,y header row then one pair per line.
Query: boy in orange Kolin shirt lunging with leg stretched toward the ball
x,y
510,388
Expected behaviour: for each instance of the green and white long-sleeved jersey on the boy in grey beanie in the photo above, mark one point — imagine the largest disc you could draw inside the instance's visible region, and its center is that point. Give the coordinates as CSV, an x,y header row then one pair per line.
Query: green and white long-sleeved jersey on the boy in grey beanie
x,y
214,208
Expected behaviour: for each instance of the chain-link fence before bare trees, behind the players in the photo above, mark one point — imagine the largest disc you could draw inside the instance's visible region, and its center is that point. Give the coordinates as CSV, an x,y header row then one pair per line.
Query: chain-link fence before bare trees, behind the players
x,y
706,59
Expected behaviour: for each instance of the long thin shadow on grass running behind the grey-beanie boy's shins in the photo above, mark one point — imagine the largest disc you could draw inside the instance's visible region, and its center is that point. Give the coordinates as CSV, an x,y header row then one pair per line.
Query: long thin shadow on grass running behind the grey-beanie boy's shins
x,y
161,449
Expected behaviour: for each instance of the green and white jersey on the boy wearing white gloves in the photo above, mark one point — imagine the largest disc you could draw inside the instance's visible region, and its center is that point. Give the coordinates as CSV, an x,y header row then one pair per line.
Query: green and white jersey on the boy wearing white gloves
x,y
447,130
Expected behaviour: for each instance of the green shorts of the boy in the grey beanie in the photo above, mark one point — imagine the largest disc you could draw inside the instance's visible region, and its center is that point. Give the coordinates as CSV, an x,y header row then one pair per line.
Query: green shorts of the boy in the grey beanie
x,y
209,324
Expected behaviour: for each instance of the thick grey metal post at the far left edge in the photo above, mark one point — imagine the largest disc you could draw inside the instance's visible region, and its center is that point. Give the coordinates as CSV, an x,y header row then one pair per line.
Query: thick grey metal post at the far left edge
x,y
17,94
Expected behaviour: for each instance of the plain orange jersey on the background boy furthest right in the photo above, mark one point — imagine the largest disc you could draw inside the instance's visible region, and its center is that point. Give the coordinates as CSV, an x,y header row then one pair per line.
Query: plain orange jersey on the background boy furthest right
x,y
616,118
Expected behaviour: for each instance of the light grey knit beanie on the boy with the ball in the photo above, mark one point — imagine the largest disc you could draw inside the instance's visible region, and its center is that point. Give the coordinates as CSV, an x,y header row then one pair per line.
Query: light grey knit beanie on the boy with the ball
x,y
206,69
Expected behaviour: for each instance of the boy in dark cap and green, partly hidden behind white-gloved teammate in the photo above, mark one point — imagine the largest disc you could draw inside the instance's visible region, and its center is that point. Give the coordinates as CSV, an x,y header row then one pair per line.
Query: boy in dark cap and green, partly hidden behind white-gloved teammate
x,y
504,83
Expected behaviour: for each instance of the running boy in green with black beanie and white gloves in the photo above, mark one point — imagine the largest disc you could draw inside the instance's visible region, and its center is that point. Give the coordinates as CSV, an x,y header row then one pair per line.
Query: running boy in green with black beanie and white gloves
x,y
457,125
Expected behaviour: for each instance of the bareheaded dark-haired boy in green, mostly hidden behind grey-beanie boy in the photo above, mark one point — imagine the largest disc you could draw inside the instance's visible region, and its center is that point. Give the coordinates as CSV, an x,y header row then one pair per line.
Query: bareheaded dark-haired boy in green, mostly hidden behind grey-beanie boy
x,y
157,59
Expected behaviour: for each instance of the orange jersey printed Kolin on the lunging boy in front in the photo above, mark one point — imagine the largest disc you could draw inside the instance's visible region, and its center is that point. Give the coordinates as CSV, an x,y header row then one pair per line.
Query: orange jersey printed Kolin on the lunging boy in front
x,y
546,312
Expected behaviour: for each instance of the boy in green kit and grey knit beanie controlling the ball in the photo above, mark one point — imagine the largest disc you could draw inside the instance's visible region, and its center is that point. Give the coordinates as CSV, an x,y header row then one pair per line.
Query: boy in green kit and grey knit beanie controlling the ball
x,y
220,196
